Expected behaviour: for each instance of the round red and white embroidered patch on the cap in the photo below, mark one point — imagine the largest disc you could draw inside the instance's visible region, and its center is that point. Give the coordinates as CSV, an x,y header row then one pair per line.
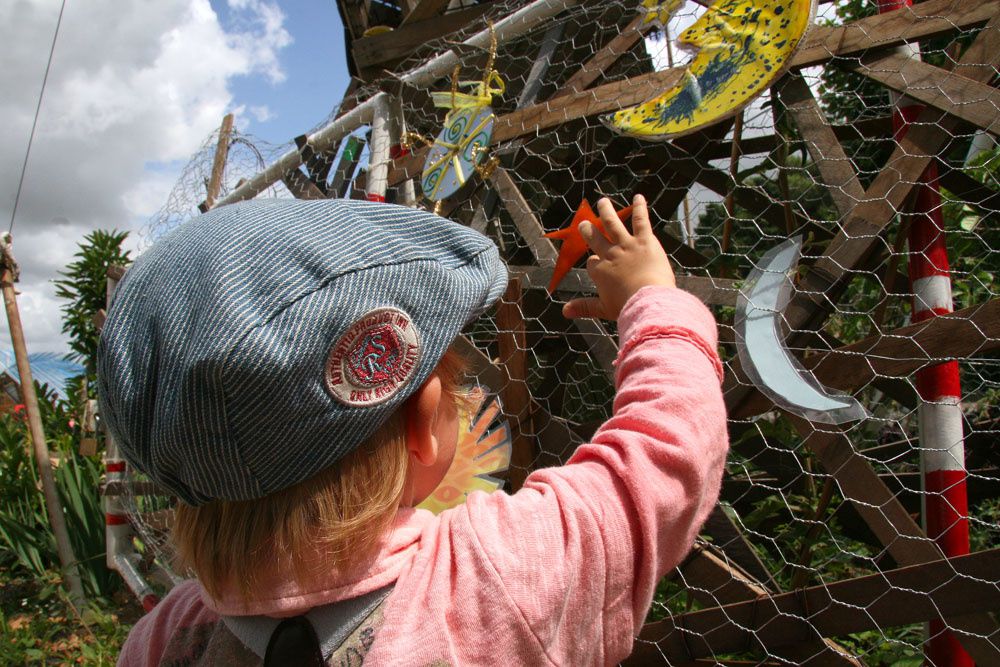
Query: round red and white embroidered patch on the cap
x,y
374,359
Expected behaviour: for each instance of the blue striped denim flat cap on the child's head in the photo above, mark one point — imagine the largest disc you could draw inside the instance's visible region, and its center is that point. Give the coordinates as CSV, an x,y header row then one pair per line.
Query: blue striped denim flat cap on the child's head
x,y
256,345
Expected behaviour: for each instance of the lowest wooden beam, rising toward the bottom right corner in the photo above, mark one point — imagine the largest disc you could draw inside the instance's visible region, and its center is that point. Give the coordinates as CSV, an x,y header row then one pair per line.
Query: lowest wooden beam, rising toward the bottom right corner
x,y
948,588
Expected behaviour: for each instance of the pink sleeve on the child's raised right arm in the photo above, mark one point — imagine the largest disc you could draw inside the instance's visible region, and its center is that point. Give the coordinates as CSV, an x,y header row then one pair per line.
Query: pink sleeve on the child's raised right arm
x,y
581,548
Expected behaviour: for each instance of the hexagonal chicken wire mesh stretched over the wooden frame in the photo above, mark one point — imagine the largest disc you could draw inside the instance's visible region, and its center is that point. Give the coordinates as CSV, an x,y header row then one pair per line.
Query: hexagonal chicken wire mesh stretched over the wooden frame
x,y
805,560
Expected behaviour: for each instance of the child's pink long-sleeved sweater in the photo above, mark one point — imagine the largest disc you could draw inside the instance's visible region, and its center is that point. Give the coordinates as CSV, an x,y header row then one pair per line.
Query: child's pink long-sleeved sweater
x,y
562,572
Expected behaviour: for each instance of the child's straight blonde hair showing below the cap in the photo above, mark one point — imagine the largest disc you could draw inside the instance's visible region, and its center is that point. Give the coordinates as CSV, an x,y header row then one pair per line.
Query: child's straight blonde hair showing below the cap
x,y
340,512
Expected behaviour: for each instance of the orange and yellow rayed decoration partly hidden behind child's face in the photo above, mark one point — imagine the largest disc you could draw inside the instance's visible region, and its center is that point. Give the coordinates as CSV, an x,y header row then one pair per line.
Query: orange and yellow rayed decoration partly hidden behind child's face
x,y
483,450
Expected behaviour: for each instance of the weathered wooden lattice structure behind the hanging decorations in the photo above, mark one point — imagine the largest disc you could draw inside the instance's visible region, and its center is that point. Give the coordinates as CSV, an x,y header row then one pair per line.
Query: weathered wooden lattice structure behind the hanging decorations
x,y
565,63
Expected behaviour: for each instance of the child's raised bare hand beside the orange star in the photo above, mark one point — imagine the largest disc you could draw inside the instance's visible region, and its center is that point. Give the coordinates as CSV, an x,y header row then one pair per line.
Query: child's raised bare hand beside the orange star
x,y
622,263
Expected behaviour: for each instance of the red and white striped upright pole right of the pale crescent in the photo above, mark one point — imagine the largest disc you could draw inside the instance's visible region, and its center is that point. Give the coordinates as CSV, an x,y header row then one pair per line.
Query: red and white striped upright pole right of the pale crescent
x,y
942,446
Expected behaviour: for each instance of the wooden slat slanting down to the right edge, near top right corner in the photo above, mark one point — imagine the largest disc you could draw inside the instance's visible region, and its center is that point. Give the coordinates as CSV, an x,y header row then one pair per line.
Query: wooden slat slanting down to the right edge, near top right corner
x,y
948,91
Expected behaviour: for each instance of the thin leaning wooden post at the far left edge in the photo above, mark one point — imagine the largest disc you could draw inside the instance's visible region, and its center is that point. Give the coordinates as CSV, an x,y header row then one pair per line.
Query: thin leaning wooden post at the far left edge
x,y
54,508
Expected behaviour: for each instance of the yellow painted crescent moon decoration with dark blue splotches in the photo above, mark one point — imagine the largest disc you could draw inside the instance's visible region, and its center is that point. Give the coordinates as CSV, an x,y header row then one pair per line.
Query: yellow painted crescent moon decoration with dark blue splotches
x,y
741,48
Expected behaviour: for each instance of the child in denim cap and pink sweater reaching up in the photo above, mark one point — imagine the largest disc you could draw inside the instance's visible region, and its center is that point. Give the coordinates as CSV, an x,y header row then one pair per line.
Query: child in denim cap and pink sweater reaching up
x,y
283,367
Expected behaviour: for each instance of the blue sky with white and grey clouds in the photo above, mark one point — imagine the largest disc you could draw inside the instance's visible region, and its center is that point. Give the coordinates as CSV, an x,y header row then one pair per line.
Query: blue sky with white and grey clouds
x,y
134,90
